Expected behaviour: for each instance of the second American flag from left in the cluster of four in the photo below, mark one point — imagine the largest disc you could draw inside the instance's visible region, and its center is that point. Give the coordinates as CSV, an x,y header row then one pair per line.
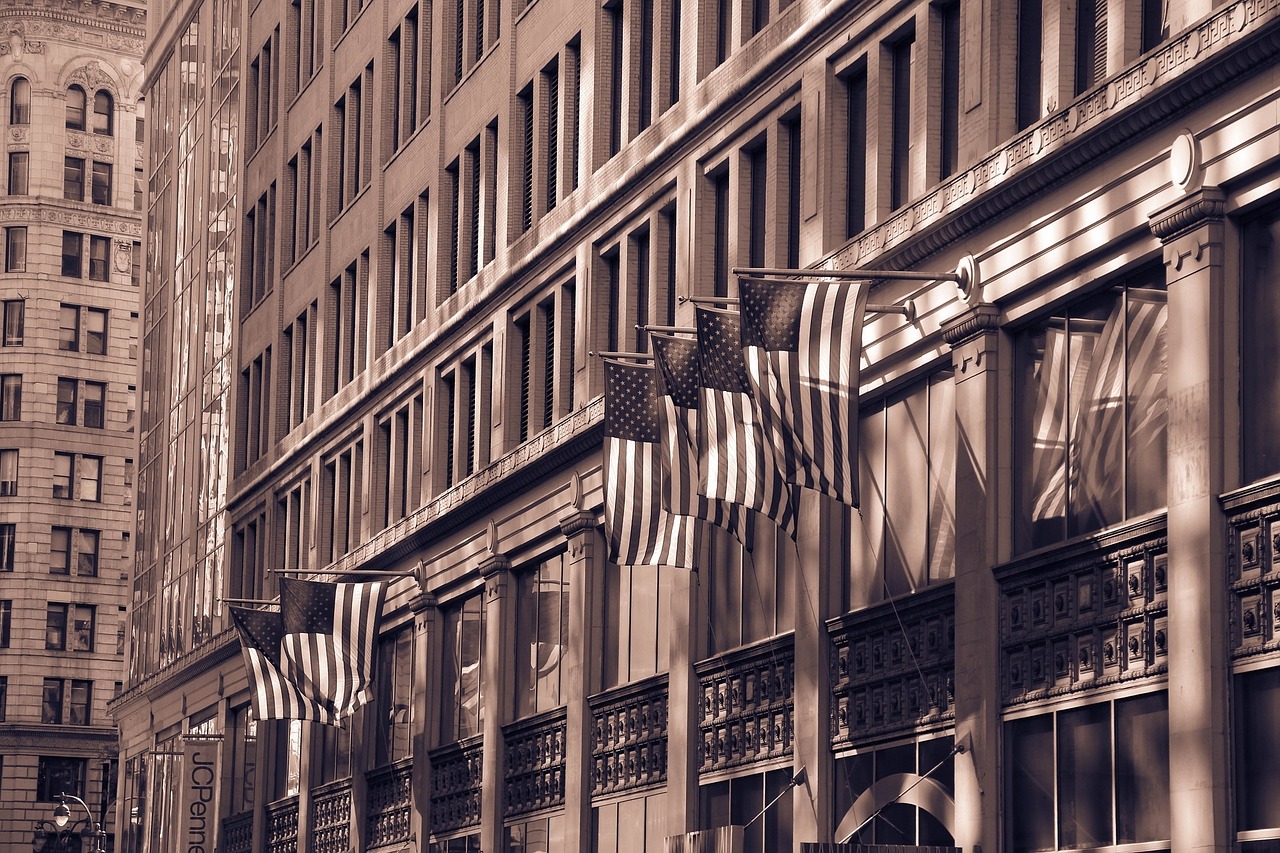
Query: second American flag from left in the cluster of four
x,y
679,376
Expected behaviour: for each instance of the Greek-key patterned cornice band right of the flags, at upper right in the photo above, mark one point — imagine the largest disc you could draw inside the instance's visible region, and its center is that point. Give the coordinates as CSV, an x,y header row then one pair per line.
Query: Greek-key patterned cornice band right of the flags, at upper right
x,y
1236,43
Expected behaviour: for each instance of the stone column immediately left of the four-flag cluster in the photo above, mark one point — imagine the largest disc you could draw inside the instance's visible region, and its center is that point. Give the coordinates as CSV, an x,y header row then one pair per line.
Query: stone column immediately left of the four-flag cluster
x,y
582,674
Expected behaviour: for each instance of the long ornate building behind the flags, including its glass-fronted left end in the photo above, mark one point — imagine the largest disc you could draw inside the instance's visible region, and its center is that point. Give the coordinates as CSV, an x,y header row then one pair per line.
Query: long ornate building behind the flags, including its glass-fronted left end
x,y
368,346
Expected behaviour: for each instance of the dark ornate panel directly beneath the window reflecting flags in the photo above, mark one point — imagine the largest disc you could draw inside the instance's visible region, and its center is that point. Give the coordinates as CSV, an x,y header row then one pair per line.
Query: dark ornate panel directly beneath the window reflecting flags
x,y
1085,619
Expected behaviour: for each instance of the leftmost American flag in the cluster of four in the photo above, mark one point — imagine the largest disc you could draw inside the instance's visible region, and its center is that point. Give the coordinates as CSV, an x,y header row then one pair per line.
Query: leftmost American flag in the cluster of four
x,y
641,532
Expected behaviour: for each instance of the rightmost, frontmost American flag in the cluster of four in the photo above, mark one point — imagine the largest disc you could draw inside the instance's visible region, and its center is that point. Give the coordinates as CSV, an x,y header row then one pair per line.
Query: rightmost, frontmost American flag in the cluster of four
x,y
803,343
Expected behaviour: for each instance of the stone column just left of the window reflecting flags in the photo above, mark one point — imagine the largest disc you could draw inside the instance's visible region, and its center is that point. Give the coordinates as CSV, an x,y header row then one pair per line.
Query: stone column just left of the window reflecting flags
x,y
982,467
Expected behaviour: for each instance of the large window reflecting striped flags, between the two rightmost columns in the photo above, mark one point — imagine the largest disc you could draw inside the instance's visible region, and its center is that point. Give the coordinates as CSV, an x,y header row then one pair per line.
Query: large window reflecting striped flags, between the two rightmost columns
x,y
1091,414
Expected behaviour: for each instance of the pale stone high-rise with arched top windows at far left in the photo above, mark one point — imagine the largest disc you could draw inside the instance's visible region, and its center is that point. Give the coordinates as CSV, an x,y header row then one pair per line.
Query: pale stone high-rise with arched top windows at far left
x,y
72,85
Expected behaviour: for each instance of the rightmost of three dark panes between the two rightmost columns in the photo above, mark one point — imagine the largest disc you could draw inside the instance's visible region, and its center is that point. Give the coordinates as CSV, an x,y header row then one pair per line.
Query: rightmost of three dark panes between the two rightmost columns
x,y
1142,769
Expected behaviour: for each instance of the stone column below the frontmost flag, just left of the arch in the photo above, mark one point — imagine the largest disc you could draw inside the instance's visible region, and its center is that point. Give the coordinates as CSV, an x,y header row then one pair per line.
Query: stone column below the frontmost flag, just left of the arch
x,y
817,596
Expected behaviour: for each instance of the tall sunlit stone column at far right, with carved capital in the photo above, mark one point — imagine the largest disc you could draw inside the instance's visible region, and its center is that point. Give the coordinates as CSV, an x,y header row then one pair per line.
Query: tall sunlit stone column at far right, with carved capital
x,y
1192,231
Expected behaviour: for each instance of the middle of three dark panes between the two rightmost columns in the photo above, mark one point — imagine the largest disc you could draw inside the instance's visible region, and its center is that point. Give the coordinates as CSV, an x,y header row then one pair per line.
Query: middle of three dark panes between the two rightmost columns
x,y
1085,777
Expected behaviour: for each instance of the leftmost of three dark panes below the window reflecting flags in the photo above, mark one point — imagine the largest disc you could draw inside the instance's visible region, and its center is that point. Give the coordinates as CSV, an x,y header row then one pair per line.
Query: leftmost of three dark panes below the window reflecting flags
x,y
1031,783
